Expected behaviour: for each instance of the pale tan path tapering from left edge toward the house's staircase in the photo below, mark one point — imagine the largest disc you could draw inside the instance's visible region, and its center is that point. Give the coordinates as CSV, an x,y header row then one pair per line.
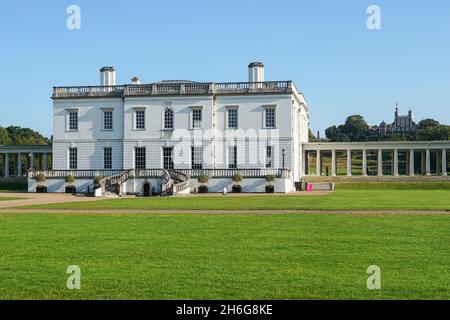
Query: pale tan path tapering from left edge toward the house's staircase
x,y
29,199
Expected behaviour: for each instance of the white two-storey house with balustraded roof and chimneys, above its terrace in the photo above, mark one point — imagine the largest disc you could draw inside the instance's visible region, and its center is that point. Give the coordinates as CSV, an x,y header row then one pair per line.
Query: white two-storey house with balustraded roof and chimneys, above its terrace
x,y
181,125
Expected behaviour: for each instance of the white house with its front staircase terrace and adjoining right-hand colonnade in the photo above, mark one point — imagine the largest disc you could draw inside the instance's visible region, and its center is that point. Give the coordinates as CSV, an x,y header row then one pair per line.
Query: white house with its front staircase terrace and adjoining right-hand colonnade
x,y
166,134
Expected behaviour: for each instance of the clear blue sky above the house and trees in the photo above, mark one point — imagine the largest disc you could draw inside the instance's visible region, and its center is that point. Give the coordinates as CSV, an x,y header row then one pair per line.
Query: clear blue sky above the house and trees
x,y
324,46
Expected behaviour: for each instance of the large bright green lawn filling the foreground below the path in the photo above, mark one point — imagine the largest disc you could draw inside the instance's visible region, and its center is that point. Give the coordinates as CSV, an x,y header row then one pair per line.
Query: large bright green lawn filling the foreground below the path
x,y
224,256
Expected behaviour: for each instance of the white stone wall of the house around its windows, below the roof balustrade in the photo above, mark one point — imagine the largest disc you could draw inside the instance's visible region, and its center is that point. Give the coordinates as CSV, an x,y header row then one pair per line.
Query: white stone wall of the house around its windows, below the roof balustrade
x,y
251,137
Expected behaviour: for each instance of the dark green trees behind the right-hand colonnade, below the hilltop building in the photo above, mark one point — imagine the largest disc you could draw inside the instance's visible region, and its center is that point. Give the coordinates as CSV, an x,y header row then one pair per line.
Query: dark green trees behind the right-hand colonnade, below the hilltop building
x,y
356,129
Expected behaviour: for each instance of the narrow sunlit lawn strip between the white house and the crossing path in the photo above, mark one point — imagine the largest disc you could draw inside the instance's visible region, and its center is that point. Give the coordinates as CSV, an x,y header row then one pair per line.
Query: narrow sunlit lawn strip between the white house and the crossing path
x,y
363,196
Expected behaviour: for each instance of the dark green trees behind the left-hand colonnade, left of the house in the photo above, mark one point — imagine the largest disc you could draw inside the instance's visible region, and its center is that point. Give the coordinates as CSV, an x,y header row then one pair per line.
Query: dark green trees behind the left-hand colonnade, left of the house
x,y
16,136
